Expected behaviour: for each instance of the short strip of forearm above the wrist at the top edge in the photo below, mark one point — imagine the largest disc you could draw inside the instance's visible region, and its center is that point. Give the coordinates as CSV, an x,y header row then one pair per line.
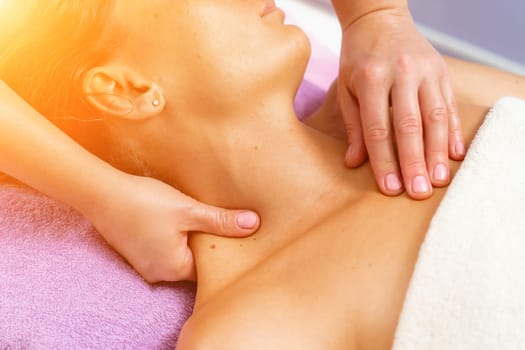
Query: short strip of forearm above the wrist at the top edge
x,y
348,11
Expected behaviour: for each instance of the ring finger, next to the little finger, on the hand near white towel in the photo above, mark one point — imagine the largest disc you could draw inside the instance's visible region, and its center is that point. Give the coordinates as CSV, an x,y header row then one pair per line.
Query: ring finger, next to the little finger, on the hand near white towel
x,y
435,124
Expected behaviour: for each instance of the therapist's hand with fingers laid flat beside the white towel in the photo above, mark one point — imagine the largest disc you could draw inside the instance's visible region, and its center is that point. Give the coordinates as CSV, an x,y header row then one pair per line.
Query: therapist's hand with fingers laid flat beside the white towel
x,y
386,62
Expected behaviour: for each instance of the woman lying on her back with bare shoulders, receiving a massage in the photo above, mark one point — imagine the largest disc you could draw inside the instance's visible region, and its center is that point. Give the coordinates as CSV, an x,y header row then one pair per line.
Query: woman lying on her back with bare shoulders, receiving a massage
x,y
185,96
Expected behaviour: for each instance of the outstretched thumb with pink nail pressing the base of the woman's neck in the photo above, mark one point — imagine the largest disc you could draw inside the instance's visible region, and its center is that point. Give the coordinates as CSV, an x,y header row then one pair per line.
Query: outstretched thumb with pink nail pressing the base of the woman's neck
x,y
223,222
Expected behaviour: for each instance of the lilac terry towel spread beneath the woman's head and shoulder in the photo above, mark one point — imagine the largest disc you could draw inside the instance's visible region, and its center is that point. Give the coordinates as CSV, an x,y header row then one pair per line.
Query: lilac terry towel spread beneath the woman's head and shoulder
x,y
63,287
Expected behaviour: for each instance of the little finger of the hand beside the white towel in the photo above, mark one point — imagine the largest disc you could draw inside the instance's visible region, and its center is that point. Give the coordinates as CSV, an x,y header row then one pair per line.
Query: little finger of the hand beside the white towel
x,y
456,141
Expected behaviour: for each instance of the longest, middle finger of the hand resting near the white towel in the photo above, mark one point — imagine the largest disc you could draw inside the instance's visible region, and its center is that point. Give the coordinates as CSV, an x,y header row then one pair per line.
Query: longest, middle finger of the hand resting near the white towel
x,y
409,136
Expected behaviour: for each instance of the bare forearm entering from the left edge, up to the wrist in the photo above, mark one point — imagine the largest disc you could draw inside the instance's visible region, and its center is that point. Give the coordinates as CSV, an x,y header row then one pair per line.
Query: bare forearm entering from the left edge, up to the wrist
x,y
39,154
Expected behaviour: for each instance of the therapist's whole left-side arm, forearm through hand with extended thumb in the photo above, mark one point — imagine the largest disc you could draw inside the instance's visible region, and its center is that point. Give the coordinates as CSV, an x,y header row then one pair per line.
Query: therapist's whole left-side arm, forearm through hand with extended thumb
x,y
145,220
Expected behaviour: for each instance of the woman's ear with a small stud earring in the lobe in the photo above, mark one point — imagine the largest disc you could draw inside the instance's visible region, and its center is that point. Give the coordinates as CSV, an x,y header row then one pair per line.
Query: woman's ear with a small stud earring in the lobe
x,y
122,93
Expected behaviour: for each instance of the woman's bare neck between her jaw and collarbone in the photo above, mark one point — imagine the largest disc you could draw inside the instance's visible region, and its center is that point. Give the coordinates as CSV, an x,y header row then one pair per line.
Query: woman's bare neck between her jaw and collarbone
x,y
263,160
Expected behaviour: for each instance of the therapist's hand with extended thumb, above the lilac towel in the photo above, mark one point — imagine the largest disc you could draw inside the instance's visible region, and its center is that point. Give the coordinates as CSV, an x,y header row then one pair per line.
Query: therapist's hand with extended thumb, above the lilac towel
x,y
148,221
